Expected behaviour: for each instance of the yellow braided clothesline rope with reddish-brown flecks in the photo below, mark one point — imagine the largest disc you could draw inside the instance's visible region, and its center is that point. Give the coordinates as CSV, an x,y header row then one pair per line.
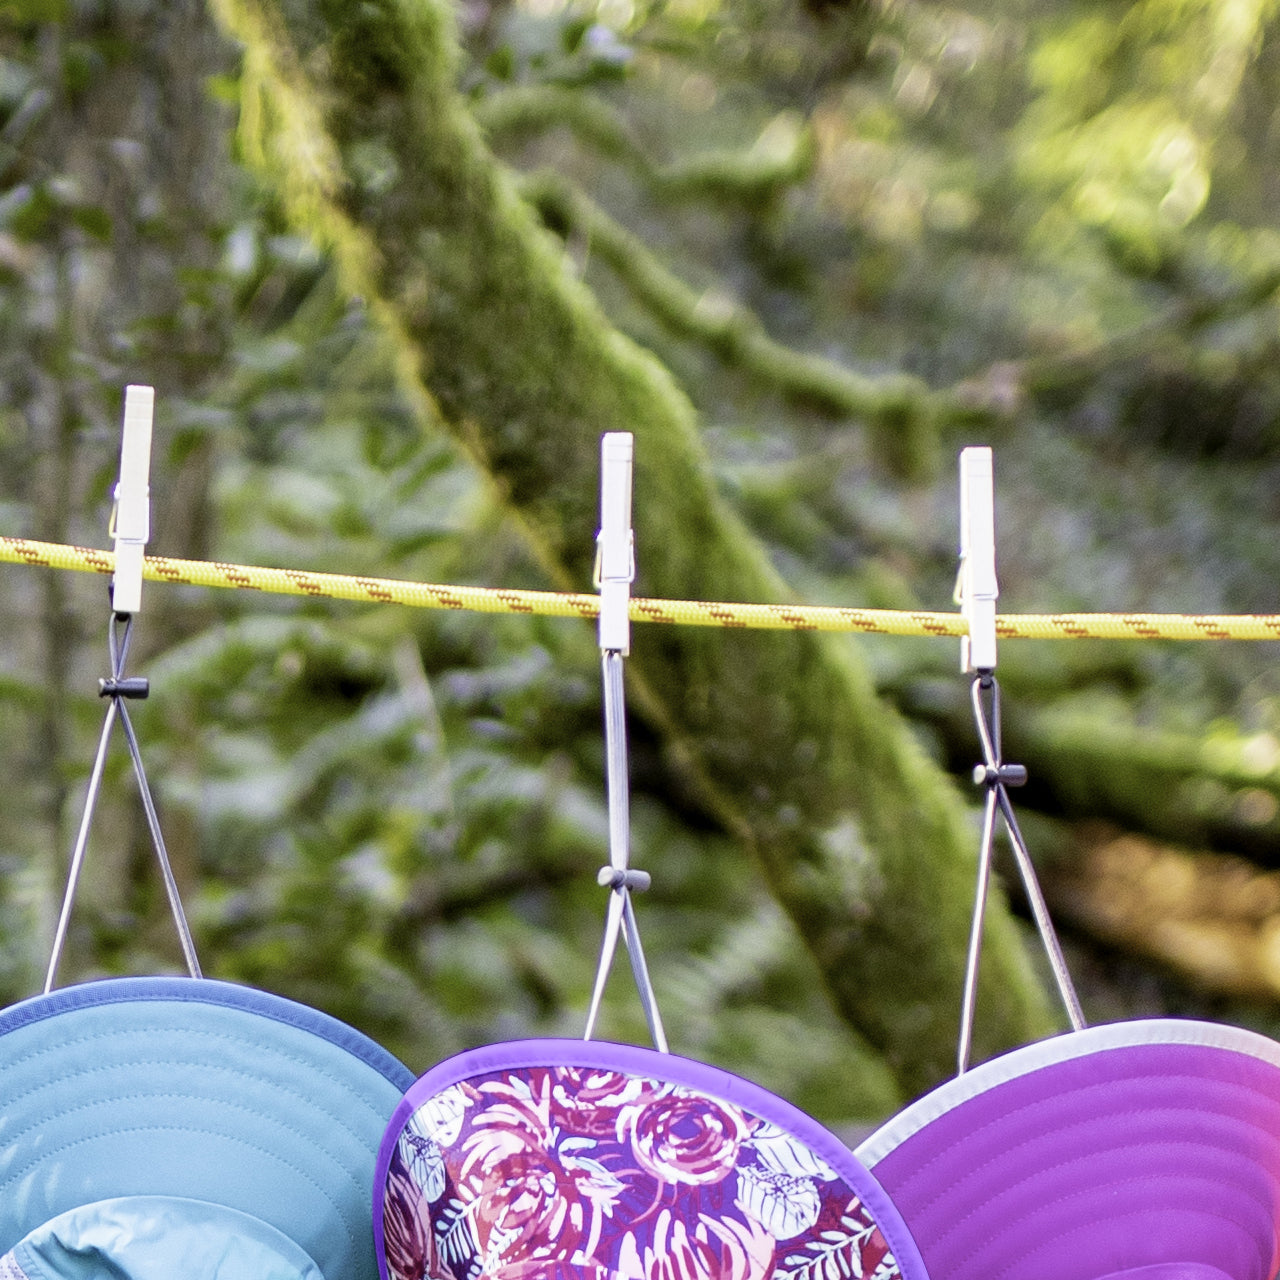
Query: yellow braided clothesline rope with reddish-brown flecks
x,y
778,618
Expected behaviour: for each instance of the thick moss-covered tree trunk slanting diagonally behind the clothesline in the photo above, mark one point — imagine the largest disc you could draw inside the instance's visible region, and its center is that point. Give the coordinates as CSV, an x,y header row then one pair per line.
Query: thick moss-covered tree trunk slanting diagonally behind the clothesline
x,y
353,112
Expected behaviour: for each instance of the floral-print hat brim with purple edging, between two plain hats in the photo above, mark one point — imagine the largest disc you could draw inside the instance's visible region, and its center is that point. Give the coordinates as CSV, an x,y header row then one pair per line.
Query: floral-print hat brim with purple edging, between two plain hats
x,y
574,1160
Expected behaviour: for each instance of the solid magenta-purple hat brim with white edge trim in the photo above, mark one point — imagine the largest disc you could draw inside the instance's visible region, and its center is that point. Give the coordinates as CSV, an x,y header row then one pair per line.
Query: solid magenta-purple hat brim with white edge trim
x,y
1145,1151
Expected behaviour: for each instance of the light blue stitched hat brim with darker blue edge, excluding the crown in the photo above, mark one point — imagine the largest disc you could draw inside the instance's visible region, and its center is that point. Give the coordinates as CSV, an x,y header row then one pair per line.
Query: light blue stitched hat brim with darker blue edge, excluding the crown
x,y
202,1090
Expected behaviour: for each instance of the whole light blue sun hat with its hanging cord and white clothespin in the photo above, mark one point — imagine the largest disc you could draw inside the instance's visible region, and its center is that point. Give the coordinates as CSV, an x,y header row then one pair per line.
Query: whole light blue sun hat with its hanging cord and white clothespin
x,y
164,1128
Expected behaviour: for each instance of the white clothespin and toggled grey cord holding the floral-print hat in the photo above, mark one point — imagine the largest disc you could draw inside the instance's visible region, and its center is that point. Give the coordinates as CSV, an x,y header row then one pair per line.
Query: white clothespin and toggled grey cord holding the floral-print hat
x,y
615,573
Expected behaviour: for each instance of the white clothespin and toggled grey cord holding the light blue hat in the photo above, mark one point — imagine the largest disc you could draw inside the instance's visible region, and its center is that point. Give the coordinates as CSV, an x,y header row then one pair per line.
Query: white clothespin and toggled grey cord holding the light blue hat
x,y
131,529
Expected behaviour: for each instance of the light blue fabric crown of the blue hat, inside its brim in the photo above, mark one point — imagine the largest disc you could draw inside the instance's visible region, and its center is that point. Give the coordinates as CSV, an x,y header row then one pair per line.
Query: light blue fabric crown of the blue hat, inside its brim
x,y
159,1238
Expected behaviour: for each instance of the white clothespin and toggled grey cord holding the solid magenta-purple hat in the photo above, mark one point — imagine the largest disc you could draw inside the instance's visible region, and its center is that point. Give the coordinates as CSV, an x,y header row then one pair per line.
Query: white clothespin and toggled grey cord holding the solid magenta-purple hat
x,y
977,591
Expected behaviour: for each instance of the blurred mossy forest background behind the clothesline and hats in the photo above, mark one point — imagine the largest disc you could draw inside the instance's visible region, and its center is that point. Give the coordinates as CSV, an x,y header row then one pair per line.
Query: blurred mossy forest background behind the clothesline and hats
x,y
394,267
